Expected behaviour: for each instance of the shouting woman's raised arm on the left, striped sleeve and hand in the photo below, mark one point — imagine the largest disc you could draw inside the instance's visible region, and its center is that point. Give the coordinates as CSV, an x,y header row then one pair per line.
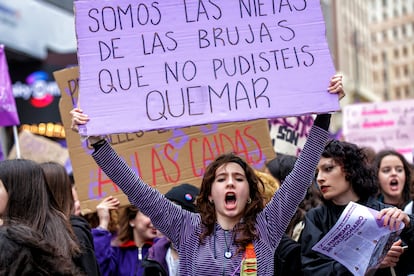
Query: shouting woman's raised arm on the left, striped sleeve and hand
x,y
165,215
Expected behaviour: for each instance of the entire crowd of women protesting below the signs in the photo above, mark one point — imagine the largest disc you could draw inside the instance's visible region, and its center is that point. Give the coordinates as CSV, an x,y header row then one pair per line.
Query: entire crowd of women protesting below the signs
x,y
238,221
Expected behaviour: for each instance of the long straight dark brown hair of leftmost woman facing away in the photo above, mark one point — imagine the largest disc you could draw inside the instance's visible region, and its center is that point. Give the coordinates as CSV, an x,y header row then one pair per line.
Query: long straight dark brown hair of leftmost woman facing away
x,y
30,202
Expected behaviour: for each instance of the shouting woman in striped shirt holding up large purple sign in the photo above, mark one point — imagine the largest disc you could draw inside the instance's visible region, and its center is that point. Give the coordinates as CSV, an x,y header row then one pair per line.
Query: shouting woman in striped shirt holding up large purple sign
x,y
233,233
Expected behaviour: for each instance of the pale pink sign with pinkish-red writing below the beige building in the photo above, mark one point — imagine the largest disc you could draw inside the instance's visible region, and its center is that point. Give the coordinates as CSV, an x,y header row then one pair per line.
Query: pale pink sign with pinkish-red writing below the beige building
x,y
381,125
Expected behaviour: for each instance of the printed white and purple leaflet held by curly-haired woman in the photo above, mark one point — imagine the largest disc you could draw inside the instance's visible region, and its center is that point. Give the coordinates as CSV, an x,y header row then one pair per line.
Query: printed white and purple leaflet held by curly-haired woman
x,y
358,240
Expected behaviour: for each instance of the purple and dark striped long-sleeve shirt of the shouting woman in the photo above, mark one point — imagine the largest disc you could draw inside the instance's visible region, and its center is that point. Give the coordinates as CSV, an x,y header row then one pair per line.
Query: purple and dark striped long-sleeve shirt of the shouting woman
x,y
183,228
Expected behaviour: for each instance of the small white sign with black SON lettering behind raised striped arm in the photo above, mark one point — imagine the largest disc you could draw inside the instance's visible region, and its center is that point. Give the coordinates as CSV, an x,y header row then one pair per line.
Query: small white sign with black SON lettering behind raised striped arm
x,y
289,134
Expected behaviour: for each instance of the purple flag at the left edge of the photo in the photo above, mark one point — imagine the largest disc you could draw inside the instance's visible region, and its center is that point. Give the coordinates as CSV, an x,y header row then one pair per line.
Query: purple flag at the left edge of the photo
x,y
8,111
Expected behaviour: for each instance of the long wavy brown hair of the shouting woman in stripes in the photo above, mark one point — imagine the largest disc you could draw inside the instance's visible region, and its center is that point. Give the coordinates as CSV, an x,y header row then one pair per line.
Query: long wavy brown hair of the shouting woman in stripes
x,y
246,229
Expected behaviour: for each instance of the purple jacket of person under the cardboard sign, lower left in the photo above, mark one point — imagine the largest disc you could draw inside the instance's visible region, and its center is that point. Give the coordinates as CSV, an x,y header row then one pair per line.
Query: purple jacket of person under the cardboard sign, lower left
x,y
123,260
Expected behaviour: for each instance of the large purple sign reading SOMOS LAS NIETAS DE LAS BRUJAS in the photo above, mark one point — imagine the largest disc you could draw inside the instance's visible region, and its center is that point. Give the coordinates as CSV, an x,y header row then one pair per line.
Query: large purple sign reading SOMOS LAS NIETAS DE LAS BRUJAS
x,y
156,65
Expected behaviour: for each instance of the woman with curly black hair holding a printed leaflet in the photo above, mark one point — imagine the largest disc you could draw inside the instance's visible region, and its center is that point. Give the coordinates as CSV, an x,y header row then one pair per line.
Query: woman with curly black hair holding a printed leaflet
x,y
343,175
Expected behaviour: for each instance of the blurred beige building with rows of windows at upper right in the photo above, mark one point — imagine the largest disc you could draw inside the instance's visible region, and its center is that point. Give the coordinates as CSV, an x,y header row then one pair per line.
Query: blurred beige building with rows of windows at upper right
x,y
372,43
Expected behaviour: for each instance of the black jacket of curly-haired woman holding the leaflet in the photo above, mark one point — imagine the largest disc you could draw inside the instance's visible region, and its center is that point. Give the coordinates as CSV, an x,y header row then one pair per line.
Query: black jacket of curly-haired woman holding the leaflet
x,y
318,222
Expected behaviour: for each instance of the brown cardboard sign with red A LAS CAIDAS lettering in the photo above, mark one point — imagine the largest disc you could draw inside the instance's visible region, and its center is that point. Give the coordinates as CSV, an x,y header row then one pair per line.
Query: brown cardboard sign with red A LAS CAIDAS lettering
x,y
162,158
